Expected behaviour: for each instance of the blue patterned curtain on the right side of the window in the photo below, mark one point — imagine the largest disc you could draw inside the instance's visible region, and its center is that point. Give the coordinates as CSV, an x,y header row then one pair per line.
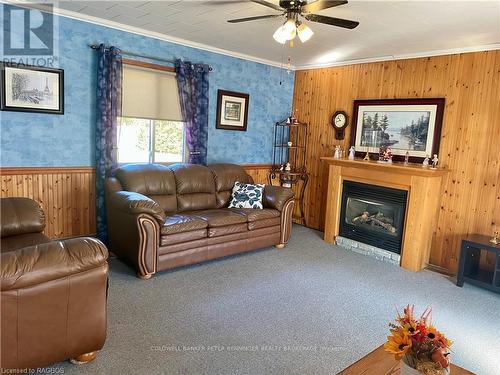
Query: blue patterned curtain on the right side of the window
x,y
192,80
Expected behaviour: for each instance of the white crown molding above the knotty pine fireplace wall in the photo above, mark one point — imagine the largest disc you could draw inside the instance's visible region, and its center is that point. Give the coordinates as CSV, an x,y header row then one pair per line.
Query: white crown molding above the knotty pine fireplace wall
x,y
416,55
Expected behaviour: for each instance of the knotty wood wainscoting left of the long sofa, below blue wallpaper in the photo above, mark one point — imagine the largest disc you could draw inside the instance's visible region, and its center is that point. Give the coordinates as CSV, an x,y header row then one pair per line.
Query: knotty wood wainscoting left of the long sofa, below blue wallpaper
x,y
65,194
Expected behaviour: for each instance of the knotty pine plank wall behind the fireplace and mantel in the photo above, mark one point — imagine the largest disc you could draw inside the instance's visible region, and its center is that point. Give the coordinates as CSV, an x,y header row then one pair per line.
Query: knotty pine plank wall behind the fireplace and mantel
x,y
470,142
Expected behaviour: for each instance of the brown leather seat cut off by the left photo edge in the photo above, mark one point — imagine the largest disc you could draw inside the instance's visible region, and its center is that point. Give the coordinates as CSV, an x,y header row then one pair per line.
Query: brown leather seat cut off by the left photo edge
x,y
53,293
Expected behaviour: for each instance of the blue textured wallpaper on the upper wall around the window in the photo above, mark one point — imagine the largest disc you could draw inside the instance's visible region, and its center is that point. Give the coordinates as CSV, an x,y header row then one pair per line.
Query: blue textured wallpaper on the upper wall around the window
x,y
29,139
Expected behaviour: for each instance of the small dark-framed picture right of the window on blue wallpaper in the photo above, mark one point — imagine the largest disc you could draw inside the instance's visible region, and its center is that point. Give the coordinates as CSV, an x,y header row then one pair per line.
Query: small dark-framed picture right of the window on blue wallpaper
x,y
232,110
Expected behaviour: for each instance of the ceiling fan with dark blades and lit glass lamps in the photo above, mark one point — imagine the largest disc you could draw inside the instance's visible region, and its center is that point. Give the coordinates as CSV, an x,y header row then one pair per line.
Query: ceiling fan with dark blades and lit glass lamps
x,y
293,10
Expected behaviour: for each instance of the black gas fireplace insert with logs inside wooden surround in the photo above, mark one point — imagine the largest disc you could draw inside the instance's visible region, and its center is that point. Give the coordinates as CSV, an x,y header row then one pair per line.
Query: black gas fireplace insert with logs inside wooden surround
x,y
373,215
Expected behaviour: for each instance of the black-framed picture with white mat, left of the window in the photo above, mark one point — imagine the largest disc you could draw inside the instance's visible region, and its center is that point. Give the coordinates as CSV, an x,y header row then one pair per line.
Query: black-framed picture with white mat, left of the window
x,y
26,88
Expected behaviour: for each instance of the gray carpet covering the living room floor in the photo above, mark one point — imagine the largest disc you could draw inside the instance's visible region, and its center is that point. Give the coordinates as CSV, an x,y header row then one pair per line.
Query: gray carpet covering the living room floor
x,y
311,308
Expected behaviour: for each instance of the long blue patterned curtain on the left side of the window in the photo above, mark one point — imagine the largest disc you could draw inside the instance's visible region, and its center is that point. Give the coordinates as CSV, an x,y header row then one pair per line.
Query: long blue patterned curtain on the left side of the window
x,y
109,105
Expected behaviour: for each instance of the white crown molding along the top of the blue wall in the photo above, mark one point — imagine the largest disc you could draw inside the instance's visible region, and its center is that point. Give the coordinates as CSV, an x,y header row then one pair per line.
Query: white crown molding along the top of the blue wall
x,y
136,30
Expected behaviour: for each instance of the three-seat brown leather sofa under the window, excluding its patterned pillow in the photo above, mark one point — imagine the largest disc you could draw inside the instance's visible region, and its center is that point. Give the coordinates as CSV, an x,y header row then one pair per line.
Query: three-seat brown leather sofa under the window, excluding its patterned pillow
x,y
163,217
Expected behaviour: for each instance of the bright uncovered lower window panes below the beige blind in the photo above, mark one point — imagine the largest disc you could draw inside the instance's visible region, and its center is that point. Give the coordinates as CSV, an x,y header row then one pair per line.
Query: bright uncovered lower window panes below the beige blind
x,y
150,141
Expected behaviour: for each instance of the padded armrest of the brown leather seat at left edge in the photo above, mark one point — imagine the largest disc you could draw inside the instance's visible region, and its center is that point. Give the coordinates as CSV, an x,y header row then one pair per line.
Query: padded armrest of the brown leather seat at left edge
x,y
36,264
